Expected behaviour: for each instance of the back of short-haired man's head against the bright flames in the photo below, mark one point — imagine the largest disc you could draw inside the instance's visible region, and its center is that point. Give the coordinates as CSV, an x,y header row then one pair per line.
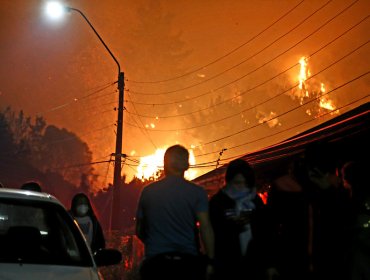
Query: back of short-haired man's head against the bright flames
x,y
176,160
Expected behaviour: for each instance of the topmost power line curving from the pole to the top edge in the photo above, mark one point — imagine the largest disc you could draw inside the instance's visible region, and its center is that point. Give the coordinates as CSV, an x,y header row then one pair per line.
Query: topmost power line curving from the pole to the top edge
x,y
225,55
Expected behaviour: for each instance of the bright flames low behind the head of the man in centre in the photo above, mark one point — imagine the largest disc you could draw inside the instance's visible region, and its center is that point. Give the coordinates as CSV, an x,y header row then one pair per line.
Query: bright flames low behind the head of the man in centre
x,y
150,167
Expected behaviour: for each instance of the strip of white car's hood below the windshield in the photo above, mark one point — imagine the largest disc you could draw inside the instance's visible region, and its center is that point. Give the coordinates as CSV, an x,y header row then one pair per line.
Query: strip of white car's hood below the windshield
x,y
46,272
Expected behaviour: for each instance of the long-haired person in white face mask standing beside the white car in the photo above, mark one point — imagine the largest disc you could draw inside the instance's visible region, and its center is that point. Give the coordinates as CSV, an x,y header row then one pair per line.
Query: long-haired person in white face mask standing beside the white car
x,y
82,212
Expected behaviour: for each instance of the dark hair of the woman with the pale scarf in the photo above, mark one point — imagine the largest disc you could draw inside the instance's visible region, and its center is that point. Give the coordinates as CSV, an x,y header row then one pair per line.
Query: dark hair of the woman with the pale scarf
x,y
242,167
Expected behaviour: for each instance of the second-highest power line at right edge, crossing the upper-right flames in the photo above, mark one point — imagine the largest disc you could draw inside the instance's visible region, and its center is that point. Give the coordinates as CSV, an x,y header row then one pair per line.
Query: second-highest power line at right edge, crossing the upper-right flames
x,y
266,100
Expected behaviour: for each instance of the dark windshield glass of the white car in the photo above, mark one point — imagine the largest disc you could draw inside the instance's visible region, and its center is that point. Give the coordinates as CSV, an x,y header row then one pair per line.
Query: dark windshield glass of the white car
x,y
40,233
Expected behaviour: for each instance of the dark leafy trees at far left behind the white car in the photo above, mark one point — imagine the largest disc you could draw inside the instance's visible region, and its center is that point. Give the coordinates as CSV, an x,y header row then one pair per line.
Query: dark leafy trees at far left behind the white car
x,y
33,145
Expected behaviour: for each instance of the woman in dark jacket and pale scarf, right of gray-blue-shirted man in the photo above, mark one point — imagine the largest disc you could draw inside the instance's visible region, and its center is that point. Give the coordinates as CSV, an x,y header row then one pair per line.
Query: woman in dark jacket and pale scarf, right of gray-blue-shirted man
x,y
235,213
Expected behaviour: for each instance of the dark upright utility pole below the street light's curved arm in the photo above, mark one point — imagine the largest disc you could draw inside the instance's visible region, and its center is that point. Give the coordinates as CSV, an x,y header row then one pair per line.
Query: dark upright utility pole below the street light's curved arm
x,y
117,179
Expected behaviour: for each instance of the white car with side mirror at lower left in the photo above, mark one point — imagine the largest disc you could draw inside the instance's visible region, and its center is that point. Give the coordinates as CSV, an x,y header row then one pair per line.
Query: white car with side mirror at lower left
x,y
39,240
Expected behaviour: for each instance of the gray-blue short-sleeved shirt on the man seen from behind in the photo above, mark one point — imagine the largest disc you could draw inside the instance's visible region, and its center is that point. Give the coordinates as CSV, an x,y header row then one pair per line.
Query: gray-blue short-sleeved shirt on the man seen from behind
x,y
168,211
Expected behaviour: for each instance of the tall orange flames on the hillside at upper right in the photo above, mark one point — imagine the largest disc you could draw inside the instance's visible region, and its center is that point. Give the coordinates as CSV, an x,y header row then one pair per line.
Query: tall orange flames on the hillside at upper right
x,y
311,89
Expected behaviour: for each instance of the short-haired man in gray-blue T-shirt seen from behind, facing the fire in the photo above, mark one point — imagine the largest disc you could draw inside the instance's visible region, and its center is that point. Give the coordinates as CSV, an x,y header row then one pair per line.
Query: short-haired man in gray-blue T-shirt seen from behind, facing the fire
x,y
167,218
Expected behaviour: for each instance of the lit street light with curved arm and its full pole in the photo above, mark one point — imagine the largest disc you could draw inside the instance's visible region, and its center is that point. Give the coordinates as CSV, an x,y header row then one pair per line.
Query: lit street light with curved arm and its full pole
x,y
56,10
